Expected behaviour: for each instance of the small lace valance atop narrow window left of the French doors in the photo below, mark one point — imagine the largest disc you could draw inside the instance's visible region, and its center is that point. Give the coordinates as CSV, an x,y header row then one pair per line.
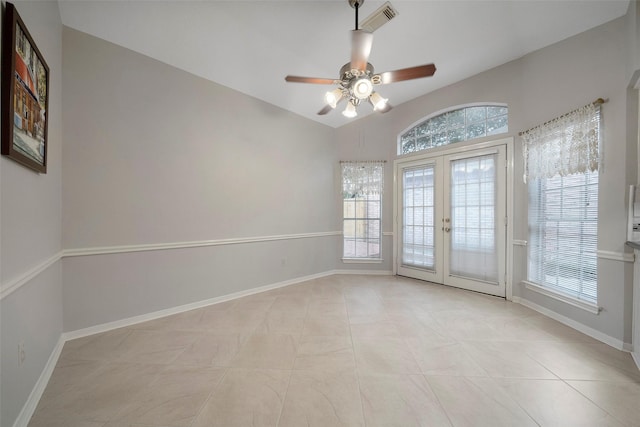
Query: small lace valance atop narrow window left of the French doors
x,y
362,178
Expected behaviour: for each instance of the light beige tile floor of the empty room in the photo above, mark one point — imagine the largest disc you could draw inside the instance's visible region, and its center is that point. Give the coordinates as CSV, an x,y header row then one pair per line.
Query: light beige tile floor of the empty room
x,y
344,351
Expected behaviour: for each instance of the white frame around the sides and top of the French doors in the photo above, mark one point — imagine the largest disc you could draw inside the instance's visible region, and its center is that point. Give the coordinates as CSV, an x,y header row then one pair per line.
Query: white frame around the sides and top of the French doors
x,y
459,148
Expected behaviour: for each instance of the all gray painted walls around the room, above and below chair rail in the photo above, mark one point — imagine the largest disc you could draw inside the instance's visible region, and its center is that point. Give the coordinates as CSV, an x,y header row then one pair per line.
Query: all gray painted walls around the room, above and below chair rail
x,y
206,163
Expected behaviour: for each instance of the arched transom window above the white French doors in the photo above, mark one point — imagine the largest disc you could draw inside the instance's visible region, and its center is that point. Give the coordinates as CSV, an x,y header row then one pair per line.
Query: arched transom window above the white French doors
x,y
460,124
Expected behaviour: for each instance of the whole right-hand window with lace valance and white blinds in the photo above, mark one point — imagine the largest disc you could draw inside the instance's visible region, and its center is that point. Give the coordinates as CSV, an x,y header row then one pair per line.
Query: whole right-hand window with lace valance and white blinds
x,y
561,166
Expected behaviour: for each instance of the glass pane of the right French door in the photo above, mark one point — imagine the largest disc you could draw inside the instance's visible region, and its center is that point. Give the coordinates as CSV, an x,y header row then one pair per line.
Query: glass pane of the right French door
x,y
473,218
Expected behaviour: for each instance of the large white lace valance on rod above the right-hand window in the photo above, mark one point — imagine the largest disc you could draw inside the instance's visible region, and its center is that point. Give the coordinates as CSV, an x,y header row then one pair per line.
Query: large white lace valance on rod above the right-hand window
x,y
567,145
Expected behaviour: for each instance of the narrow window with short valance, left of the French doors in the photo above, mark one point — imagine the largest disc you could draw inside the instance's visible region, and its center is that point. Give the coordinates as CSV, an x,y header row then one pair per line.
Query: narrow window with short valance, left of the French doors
x,y
362,184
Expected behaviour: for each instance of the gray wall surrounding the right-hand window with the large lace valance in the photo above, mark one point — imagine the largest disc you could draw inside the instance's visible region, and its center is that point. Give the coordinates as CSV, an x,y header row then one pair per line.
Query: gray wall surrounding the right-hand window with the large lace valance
x,y
586,67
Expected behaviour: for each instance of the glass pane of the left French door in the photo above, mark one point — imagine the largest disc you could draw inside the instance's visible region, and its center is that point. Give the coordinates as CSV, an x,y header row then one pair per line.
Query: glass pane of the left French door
x,y
418,211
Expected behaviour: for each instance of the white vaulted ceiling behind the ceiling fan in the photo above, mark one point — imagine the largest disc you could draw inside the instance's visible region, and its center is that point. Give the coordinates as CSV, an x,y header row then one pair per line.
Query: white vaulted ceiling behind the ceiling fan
x,y
251,45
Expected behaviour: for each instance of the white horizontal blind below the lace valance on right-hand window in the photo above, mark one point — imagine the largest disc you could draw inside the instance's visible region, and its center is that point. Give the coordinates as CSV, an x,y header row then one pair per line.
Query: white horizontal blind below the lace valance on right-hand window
x,y
563,234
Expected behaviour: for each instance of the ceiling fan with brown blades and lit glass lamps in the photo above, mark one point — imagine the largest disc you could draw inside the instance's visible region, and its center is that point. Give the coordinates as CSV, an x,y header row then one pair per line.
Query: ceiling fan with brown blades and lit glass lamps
x,y
357,77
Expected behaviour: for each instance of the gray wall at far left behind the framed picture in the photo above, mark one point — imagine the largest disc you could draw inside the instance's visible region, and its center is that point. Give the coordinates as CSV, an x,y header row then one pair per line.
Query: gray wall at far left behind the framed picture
x,y
30,228
